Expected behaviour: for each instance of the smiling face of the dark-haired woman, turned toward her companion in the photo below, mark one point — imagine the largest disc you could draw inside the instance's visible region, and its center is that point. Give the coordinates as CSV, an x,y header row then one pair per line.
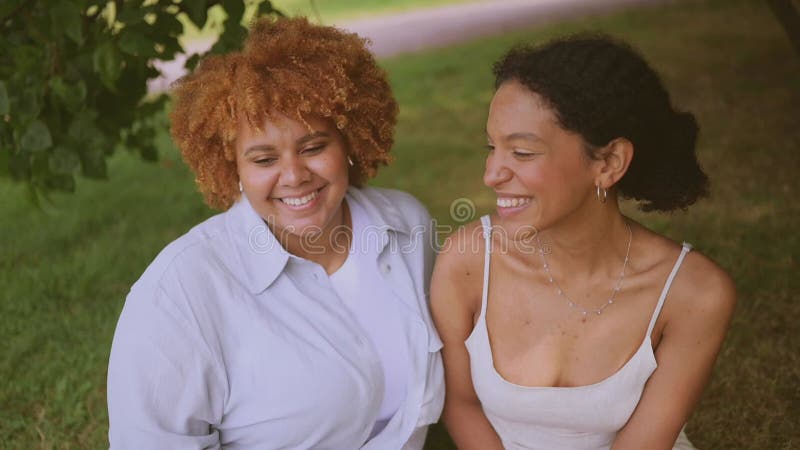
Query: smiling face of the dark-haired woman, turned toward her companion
x,y
538,170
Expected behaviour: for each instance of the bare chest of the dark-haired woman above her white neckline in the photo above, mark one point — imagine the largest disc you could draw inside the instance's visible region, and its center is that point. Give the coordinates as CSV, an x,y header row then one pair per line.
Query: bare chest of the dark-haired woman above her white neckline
x,y
538,339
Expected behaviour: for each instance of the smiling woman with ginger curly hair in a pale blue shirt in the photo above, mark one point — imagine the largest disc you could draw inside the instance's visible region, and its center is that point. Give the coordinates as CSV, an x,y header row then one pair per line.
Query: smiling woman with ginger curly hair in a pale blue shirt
x,y
297,318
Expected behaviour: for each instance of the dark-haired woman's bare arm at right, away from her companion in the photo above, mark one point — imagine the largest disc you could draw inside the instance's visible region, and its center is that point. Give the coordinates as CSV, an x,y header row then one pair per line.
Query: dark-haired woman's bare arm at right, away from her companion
x,y
694,329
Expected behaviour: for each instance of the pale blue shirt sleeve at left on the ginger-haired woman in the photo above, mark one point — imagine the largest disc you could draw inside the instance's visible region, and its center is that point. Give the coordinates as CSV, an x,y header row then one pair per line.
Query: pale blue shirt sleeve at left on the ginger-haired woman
x,y
165,390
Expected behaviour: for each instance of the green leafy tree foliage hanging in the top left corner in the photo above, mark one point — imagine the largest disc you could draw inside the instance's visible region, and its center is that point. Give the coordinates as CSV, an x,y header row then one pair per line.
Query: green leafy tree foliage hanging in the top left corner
x,y
73,83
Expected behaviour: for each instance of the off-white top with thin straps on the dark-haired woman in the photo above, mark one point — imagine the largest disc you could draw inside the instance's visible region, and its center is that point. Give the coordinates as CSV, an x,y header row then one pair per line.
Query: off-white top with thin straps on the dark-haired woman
x,y
582,417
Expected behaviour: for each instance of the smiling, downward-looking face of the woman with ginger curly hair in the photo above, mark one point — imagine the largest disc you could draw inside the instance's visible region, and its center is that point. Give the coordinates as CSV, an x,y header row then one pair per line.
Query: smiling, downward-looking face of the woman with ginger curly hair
x,y
294,177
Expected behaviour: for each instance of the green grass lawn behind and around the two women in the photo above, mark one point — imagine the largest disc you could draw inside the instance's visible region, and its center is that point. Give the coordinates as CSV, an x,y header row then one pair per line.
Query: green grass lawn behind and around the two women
x,y
65,273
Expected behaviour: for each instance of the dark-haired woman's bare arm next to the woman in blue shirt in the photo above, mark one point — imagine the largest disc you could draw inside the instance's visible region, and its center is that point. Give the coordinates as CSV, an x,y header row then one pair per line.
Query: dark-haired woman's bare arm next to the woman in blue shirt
x,y
455,301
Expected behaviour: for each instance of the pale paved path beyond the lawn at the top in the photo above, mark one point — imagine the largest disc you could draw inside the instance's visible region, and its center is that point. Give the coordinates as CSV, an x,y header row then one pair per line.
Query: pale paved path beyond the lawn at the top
x,y
442,26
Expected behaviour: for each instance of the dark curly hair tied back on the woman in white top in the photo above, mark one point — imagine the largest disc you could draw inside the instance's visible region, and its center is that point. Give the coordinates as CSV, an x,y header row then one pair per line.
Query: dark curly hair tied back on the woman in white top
x,y
603,89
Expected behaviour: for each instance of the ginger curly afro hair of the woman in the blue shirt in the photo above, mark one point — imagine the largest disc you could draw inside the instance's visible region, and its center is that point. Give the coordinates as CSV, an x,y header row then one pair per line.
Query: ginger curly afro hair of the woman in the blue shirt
x,y
294,68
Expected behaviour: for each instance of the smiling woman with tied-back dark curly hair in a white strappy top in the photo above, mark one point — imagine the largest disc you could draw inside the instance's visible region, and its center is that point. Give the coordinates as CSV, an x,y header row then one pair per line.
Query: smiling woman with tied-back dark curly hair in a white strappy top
x,y
569,325
